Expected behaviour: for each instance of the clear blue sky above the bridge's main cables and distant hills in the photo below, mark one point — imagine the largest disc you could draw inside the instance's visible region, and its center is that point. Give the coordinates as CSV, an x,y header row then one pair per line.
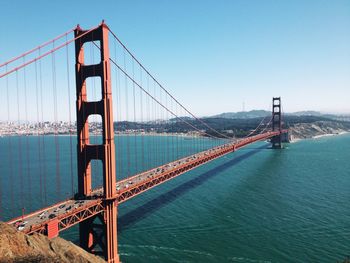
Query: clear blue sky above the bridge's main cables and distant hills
x,y
213,55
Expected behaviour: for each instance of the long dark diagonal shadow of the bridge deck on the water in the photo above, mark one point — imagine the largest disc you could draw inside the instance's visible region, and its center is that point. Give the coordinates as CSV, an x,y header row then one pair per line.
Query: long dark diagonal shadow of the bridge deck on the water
x,y
139,213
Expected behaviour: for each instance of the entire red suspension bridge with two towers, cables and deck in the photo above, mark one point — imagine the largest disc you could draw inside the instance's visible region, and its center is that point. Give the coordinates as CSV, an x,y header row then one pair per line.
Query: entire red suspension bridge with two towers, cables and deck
x,y
110,84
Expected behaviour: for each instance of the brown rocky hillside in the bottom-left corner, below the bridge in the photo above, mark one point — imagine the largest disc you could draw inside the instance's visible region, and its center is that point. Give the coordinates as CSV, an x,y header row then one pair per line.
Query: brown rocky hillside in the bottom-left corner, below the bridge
x,y
18,247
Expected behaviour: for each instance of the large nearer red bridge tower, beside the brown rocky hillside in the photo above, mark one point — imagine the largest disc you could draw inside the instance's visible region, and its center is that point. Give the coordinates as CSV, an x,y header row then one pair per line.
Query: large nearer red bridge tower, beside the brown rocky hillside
x,y
91,234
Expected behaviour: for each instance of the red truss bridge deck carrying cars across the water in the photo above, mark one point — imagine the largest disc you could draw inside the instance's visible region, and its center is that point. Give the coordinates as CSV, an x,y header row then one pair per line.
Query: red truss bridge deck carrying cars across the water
x,y
70,212
